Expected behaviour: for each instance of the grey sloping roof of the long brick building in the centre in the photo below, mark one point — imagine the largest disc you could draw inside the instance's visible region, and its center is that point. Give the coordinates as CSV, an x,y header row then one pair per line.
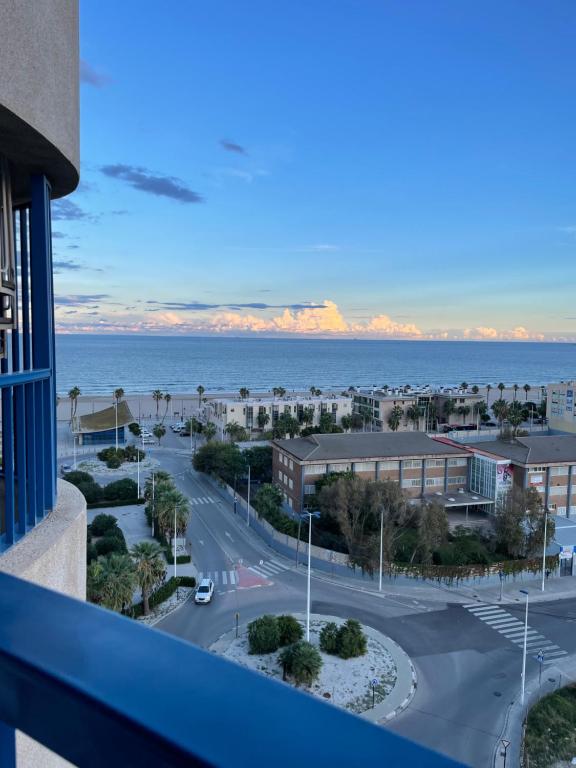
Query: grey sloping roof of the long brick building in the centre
x,y
367,445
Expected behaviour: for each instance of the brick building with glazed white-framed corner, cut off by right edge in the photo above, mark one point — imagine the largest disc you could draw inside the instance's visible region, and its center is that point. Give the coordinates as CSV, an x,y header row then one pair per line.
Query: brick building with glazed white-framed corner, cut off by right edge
x,y
546,463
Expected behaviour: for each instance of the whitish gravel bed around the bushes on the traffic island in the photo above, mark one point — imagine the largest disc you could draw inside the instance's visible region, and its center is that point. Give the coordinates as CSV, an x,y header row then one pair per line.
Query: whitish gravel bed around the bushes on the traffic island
x,y
343,682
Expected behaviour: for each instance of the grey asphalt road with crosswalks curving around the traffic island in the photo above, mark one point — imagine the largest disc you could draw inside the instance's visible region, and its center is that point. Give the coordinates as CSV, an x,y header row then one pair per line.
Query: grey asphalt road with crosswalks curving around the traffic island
x,y
468,672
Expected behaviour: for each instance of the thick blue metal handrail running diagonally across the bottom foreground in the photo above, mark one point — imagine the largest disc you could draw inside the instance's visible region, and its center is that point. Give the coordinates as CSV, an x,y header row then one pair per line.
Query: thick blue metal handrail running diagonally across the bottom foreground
x,y
99,689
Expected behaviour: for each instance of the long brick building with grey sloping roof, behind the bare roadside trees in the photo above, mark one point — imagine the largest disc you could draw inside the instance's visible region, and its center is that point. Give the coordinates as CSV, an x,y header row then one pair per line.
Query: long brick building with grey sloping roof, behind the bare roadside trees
x,y
424,467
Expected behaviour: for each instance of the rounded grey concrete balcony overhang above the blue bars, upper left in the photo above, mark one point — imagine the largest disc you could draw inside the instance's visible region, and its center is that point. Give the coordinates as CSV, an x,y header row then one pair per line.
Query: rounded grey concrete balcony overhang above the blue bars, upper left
x,y
39,105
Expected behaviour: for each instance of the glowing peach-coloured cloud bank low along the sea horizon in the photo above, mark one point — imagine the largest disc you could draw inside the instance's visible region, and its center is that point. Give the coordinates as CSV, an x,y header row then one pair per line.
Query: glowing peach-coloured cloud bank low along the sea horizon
x,y
318,320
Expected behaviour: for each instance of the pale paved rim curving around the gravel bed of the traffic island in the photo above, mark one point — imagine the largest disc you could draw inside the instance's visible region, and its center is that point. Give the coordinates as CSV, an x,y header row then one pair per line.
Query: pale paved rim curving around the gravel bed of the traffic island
x,y
406,679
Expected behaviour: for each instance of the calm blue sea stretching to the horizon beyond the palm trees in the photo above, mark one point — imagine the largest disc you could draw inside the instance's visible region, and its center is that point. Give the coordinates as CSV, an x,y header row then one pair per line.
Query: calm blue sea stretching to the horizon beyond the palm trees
x,y
139,364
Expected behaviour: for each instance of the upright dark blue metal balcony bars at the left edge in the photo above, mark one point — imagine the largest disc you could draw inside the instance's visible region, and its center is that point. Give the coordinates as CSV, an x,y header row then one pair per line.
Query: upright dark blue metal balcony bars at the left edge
x,y
27,383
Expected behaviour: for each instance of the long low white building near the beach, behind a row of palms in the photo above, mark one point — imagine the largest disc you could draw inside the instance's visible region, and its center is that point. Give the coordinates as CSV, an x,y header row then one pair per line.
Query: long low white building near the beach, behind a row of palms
x,y
263,412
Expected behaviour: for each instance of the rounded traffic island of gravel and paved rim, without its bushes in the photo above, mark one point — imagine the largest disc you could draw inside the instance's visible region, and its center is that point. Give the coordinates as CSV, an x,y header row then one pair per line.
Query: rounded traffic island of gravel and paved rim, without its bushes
x,y
376,685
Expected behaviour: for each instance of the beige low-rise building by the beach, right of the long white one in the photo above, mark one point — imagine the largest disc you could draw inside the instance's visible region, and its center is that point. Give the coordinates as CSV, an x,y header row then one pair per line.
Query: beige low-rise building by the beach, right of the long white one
x,y
421,409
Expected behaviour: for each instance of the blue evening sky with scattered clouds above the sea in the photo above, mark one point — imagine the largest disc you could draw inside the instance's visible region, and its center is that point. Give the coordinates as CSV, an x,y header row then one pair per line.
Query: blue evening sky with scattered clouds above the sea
x,y
336,168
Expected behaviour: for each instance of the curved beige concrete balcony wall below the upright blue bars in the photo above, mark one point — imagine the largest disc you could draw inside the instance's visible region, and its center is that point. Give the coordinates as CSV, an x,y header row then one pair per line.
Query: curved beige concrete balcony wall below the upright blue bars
x,y
52,555
